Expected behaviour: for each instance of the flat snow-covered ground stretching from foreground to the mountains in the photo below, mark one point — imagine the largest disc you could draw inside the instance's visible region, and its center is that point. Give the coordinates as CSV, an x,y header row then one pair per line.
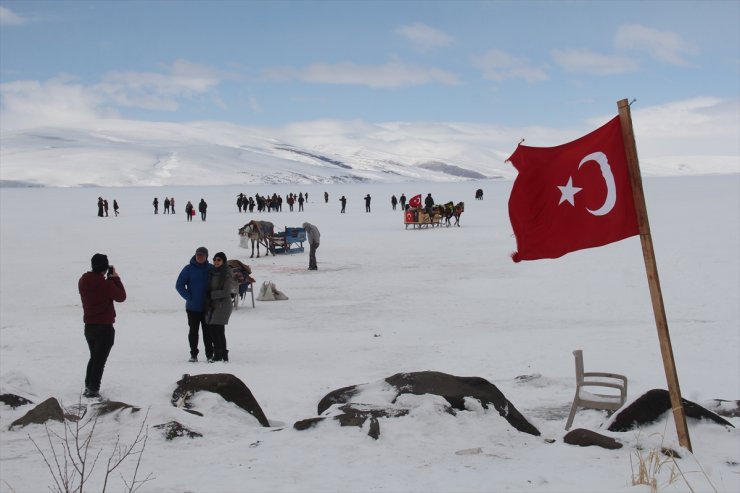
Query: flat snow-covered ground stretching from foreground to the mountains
x,y
384,300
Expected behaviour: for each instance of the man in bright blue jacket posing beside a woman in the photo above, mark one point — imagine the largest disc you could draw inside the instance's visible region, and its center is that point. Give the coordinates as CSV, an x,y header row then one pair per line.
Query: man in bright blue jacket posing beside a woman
x,y
192,284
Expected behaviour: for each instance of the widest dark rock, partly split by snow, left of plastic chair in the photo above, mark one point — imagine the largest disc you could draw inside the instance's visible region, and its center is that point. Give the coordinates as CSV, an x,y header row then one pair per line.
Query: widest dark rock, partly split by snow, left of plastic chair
x,y
452,388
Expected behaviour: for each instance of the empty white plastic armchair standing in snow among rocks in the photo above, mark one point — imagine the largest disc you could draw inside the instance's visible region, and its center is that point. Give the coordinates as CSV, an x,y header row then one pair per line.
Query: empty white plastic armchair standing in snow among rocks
x,y
590,400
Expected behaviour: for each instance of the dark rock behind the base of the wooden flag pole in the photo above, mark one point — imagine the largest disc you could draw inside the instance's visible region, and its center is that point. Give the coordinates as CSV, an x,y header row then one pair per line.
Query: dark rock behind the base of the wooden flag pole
x,y
651,405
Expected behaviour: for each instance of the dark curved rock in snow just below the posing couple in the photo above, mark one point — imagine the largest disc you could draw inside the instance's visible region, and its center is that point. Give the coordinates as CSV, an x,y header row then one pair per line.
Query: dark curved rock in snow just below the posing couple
x,y
226,385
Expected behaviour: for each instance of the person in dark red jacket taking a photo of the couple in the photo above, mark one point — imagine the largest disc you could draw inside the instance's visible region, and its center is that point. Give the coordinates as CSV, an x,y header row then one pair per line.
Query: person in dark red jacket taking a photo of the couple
x,y
99,288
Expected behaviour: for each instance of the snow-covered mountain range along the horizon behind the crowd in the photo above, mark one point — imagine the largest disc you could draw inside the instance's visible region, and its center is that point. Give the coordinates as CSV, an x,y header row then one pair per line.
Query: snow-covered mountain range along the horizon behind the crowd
x,y
125,153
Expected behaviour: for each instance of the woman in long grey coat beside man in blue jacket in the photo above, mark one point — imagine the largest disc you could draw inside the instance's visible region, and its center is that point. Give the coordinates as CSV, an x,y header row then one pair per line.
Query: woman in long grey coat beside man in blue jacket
x,y
219,305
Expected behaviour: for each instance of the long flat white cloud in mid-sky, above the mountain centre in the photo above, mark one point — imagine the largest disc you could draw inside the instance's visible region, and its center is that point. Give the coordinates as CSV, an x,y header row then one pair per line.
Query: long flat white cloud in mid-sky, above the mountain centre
x,y
389,75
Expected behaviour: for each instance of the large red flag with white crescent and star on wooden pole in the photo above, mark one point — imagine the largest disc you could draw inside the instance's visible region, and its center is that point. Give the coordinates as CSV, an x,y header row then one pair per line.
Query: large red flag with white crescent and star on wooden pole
x,y
573,196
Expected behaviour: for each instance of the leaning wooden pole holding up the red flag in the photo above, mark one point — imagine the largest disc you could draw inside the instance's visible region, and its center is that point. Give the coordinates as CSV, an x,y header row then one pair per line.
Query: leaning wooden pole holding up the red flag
x,y
651,267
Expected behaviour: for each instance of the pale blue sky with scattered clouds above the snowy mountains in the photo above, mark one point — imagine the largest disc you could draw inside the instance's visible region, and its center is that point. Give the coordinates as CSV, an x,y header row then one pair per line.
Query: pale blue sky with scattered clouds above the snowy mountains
x,y
271,63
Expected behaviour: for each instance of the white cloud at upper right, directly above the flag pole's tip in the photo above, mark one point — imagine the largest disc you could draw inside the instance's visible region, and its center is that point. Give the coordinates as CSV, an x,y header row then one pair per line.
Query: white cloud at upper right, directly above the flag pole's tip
x,y
663,46
